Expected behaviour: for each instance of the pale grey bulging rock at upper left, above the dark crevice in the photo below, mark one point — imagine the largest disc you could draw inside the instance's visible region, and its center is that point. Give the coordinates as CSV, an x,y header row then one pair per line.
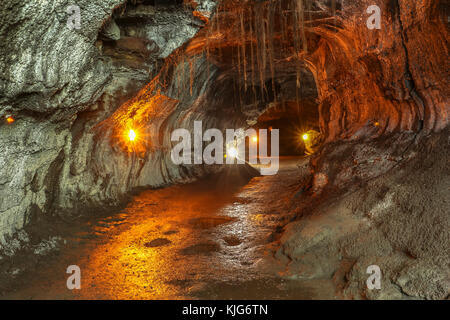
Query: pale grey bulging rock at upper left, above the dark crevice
x,y
46,67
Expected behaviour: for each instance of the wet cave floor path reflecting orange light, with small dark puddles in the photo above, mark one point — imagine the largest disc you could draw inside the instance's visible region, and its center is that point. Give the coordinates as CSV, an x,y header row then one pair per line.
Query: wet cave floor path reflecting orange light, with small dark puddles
x,y
194,241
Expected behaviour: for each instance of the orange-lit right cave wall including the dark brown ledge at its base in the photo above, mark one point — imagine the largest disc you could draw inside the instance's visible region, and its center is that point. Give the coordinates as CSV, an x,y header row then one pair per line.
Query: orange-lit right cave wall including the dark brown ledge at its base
x,y
387,83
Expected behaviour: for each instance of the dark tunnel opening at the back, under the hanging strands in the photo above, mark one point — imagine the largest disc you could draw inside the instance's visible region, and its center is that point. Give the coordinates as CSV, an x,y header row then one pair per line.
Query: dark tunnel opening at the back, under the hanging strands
x,y
288,103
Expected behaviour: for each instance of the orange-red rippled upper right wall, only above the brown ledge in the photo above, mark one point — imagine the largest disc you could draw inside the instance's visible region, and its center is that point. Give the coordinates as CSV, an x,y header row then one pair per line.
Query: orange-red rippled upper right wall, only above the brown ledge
x,y
379,81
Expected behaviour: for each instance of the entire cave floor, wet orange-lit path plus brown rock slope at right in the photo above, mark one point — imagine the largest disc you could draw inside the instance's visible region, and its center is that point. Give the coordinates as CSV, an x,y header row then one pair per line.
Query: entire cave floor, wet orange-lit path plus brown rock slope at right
x,y
268,238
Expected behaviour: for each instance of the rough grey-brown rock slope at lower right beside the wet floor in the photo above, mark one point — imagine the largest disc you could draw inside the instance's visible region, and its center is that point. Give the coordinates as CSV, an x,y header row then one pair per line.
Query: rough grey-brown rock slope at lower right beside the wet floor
x,y
398,221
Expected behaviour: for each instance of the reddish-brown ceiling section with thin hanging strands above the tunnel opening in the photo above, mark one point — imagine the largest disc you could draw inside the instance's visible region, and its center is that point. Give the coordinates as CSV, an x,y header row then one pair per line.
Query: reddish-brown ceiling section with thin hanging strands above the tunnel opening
x,y
262,33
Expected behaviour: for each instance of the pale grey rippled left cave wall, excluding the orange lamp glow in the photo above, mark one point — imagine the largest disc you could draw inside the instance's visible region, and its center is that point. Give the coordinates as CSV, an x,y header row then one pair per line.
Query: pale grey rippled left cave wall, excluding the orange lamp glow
x,y
59,84
